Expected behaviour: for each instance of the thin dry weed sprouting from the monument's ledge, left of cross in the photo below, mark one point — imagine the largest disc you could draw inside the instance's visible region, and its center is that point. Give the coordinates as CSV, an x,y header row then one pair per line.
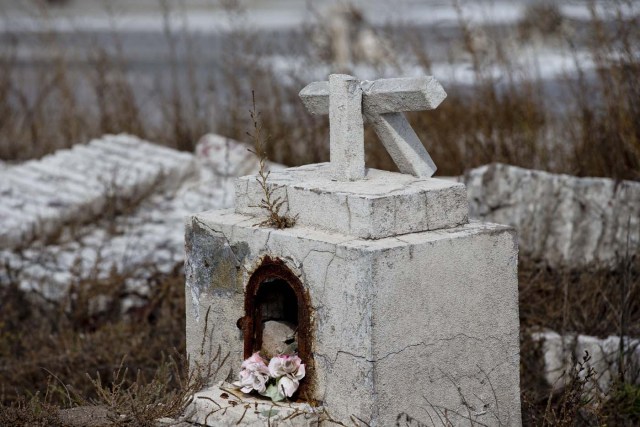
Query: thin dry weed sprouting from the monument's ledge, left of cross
x,y
270,203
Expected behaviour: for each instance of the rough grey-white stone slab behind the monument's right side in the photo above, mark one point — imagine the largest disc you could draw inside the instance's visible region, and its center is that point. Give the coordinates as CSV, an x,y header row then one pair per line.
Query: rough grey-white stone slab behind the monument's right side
x,y
561,219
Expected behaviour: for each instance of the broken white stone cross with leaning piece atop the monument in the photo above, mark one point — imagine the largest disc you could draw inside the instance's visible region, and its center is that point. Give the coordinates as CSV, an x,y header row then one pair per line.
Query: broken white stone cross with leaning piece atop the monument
x,y
349,102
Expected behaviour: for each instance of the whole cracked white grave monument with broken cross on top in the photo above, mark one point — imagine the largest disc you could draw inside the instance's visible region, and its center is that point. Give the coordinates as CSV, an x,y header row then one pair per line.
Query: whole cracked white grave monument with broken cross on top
x,y
399,307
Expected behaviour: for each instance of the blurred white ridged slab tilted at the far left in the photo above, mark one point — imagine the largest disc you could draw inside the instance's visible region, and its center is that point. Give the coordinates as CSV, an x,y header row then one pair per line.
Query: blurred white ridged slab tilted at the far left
x,y
41,197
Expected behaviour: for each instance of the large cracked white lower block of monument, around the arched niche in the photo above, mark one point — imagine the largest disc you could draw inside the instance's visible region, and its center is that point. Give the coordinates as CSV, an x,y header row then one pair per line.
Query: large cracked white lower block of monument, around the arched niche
x,y
423,320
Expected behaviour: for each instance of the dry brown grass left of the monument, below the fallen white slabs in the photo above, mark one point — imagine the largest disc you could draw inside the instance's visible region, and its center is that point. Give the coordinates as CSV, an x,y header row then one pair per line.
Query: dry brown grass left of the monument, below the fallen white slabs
x,y
64,354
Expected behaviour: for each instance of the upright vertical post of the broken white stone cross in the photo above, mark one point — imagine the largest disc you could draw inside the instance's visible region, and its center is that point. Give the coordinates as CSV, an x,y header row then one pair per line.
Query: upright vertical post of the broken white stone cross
x,y
346,133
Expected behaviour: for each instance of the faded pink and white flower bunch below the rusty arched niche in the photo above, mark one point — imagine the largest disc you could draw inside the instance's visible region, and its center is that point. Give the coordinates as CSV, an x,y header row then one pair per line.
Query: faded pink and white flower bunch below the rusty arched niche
x,y
280,379
